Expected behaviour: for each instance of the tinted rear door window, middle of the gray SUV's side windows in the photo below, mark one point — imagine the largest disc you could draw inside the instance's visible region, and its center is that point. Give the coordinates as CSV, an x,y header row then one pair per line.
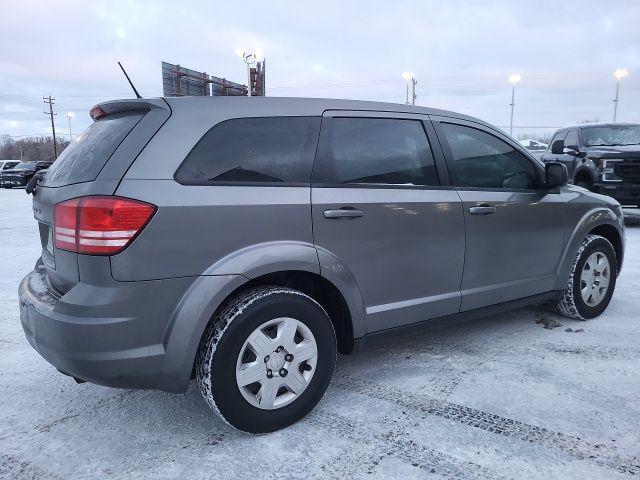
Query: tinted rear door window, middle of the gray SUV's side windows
x,y
376,151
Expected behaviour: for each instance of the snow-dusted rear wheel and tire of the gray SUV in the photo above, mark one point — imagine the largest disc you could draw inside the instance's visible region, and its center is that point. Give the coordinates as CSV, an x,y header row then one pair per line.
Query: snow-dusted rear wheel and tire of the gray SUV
x,y
226,348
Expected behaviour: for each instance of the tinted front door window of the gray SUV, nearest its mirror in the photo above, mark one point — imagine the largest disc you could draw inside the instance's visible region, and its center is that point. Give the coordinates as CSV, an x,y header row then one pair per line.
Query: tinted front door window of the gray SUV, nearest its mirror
x,y
481,160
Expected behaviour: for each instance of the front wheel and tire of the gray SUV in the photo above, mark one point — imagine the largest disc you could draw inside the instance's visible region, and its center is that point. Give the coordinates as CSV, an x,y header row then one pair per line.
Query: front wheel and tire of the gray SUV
x,y
573,303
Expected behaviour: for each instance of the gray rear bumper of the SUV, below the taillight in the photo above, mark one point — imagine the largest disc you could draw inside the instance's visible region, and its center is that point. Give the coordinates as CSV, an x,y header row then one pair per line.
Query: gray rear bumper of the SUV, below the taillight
x,y
113,335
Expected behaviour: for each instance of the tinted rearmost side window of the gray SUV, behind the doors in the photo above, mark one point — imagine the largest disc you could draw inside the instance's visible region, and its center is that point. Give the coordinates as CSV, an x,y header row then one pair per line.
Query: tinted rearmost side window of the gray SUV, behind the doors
x,y
275,149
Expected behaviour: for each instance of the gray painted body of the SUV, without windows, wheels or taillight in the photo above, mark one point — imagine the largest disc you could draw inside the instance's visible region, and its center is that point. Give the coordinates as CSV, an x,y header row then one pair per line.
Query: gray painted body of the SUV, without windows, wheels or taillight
x,y
407,260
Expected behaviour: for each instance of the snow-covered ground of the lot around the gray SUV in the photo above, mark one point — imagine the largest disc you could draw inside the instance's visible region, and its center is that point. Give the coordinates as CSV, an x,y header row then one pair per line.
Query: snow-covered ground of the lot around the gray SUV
x,y
501,397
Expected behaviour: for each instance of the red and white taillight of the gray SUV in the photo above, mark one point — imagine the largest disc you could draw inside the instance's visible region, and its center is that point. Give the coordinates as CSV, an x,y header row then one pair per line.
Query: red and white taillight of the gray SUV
x,y
99,225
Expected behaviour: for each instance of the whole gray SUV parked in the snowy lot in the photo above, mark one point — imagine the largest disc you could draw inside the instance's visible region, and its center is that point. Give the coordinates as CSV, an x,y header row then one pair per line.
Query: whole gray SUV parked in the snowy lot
x,y
245,241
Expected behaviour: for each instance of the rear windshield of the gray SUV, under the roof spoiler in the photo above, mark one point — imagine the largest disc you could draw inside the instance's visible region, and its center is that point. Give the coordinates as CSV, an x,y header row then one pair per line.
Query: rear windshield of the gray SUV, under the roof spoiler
x,y
83,159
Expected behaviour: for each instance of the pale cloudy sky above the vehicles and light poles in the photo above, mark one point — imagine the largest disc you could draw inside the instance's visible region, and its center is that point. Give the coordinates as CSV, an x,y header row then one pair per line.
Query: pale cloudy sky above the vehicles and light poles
x,y
461,53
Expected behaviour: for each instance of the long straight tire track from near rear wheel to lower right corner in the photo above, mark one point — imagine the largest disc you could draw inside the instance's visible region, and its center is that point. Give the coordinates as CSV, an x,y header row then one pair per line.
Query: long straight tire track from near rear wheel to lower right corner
x,y
600,454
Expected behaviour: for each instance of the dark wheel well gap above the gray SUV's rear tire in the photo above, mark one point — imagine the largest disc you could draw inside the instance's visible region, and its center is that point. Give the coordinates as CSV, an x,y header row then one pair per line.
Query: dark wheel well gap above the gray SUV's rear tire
x,y
322,291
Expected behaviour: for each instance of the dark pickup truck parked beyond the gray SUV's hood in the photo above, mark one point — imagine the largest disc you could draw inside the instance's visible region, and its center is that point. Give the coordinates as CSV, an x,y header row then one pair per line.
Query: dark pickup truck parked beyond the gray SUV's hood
x,y
601,157
